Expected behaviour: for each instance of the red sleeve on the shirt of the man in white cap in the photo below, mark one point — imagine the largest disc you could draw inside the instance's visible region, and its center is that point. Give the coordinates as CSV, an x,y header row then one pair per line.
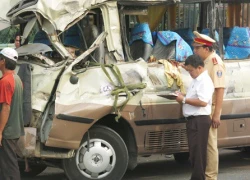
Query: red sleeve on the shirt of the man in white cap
x,y
7,86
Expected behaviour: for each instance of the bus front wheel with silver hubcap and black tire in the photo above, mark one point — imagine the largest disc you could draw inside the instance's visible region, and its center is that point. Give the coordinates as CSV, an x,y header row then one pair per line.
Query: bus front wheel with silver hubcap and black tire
x,y
107,158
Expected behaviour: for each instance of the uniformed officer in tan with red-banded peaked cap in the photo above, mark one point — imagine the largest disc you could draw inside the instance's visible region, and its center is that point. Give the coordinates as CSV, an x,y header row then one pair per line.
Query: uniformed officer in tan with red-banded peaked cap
x,y
203,47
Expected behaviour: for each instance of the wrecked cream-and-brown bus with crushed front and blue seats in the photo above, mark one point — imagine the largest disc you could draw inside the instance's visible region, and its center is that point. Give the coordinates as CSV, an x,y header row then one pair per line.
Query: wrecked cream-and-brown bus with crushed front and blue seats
x,y
92,76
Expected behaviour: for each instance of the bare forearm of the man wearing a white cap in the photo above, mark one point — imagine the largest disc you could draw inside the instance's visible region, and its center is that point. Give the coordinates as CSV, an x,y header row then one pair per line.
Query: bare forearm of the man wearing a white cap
x,y
4,116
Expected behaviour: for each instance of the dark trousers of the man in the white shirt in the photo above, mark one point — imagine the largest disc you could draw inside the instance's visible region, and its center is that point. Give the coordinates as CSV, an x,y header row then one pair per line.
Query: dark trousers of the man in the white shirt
x,y
197,133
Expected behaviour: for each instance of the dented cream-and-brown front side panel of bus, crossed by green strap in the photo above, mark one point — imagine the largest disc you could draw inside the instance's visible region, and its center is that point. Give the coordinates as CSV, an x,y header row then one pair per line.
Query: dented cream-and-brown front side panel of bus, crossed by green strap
x,y
90,98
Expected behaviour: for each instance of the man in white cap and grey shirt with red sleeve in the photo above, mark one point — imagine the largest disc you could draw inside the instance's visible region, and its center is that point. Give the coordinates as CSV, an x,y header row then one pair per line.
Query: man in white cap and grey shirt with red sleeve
x,y
11,115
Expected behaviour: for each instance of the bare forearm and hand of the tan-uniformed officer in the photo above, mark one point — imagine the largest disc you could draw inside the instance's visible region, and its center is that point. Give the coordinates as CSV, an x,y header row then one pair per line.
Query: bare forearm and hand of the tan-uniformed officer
x,y
219,92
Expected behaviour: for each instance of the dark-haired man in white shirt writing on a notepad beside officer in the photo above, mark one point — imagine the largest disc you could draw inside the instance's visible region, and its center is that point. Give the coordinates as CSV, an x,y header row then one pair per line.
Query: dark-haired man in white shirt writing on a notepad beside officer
x,y
196,110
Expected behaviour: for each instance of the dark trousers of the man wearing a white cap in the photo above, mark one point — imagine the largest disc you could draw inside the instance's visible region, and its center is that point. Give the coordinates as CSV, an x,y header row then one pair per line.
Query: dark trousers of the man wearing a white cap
x,y
9,169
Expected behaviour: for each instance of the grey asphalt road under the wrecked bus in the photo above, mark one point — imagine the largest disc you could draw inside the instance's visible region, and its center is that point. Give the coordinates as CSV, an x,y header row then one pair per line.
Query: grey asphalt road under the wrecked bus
x,y
234,165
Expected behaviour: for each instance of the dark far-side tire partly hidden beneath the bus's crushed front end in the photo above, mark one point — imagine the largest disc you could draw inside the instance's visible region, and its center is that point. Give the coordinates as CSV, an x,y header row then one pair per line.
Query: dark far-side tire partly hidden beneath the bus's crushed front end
x,y
35,169
